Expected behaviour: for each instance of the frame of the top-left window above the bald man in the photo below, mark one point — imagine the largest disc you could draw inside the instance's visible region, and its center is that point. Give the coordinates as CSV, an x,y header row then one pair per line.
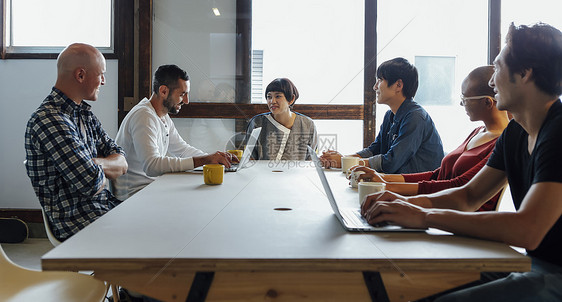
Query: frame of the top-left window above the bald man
x,y
47,52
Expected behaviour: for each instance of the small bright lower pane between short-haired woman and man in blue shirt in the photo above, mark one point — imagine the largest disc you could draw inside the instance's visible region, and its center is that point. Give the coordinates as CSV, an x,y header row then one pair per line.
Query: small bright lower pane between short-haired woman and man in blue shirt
x,y
345,136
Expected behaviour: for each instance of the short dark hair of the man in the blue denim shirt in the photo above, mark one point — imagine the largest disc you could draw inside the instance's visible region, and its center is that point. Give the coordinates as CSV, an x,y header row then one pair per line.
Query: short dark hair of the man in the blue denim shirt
x,y
400,69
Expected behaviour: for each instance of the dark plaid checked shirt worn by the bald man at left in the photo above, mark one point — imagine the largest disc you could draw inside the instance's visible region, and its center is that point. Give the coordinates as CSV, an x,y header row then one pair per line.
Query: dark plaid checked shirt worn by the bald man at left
x,y
61,140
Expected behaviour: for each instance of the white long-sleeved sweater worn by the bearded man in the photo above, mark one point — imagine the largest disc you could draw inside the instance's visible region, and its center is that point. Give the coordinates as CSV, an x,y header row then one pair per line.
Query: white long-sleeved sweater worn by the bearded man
x,y
153,147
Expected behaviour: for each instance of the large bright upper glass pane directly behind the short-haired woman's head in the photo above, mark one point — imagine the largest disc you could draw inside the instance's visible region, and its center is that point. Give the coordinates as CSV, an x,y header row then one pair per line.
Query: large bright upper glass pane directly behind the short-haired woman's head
x,y
318,44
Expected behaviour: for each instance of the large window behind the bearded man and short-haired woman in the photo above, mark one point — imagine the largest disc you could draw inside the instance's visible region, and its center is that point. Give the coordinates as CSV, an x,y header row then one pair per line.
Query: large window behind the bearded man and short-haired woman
x,y
326,65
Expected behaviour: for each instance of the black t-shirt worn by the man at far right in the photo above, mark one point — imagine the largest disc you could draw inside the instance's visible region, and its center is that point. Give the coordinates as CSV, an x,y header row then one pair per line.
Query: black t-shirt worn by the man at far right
x,y
544,164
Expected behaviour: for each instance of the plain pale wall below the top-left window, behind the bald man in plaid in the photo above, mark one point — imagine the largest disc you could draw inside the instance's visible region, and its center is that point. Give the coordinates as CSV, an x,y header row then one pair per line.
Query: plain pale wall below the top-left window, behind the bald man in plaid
x,y
23,86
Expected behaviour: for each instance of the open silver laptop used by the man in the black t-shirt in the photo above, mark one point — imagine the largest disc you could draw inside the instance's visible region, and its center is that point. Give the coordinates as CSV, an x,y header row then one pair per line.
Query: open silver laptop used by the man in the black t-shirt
x,y
350,218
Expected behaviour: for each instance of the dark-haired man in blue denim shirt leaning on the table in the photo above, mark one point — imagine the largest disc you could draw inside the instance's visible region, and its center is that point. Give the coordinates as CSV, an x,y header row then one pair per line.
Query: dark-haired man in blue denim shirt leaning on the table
x,y
407,141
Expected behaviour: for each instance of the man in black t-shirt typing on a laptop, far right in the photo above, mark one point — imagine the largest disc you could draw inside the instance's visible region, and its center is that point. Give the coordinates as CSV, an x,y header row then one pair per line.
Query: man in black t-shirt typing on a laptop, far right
x,y
527,81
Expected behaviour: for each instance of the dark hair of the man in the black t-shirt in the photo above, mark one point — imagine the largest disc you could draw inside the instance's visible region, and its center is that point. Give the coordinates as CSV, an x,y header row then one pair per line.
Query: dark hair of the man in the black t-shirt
x,y
538,47
